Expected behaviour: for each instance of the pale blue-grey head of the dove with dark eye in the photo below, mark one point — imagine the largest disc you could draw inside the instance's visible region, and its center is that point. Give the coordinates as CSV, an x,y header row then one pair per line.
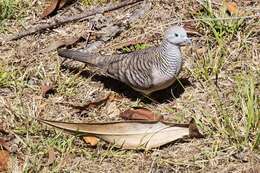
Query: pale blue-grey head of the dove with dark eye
x,y
177,35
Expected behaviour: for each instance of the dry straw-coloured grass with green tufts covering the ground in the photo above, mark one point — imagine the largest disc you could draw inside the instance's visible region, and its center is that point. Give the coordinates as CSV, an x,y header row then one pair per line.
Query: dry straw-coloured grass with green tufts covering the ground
x,y
222,65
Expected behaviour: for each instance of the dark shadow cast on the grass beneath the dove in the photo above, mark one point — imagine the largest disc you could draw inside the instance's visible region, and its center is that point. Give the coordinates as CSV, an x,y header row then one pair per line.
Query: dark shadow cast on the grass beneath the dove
x,y
162,96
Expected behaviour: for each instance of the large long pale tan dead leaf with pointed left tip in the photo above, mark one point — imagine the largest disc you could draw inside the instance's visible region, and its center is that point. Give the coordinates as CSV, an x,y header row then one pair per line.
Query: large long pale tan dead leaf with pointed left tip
x,y
129,134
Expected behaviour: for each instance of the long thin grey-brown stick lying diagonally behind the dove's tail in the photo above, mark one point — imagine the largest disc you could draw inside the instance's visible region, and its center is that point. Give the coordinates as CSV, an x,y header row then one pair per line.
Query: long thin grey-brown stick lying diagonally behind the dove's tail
x,y
66,19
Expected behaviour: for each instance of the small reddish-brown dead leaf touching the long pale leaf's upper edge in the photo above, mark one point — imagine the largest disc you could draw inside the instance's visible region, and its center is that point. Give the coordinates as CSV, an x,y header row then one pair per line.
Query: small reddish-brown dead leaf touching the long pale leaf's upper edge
x,y
140,114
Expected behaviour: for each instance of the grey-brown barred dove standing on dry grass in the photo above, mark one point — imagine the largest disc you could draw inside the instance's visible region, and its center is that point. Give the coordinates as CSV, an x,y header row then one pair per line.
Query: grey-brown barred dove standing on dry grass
x,y
147,70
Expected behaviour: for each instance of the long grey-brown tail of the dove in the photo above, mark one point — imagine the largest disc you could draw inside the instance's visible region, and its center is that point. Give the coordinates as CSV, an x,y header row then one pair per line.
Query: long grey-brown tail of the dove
x,y
94,59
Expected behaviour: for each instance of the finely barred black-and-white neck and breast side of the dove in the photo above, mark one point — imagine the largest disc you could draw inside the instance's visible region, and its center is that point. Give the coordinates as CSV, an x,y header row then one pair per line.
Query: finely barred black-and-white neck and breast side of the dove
x,y
170,59
